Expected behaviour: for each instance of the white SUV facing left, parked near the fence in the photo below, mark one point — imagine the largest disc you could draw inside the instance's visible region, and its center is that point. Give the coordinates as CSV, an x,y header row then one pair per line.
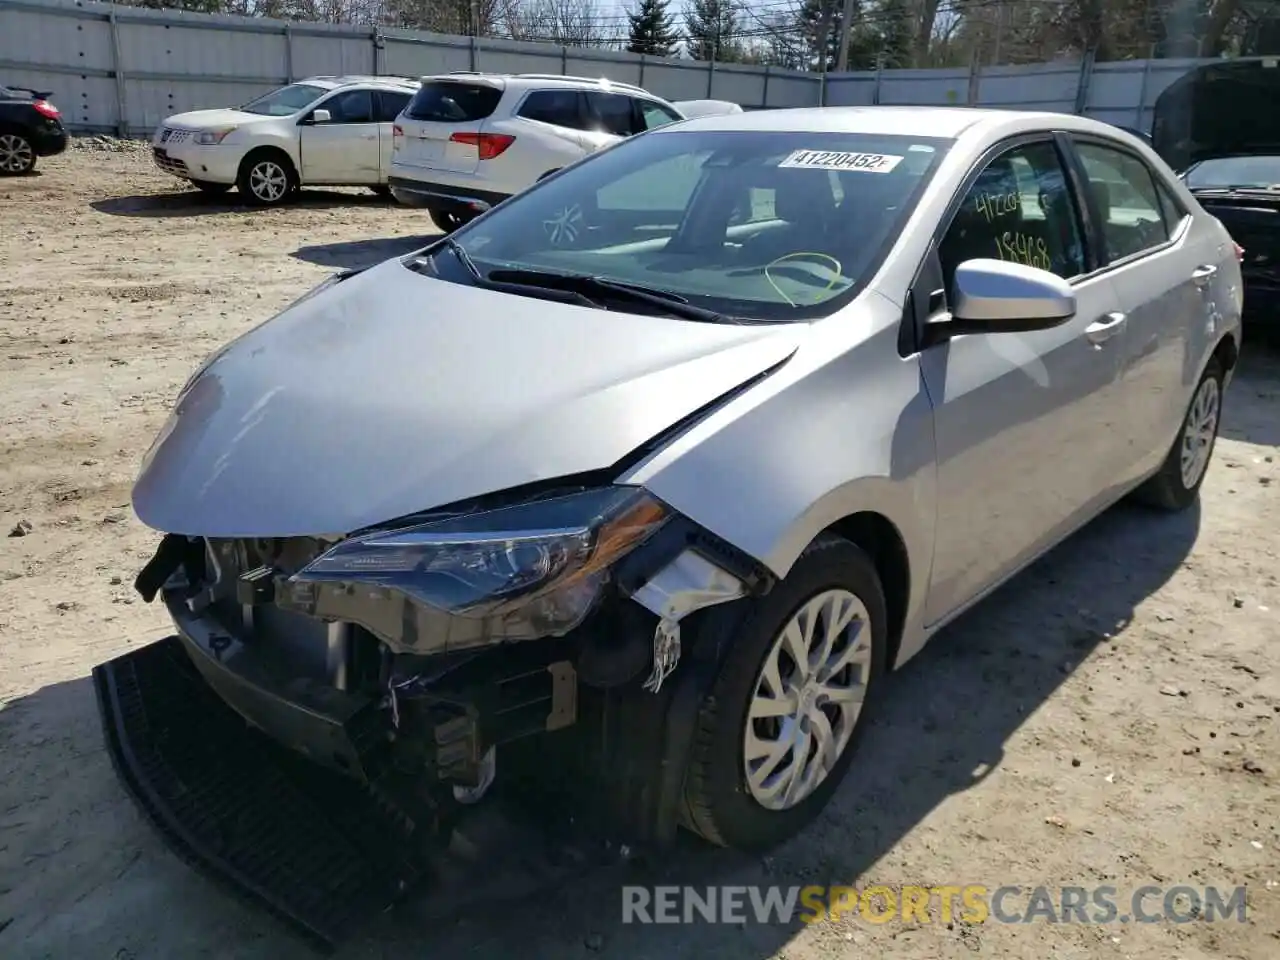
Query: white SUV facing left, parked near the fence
x,y
319,132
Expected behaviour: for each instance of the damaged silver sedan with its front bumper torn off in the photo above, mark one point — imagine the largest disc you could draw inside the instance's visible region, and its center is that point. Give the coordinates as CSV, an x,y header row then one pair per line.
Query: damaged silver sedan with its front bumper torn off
x,y
644,479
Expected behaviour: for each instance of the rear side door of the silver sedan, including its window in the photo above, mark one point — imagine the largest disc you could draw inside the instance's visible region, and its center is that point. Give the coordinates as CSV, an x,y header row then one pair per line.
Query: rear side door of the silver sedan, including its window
x,y
1160,268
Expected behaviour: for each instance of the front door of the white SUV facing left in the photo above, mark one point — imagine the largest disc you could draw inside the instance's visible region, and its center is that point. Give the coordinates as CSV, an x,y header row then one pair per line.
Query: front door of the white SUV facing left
x,y
345,149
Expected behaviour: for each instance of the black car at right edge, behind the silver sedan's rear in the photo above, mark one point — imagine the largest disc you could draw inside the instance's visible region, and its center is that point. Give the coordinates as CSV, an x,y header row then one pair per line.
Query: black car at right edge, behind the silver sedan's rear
x,y
1244,191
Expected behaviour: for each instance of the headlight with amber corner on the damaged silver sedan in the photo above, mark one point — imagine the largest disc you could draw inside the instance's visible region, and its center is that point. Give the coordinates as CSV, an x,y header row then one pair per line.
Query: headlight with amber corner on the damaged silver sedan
x,y
532,570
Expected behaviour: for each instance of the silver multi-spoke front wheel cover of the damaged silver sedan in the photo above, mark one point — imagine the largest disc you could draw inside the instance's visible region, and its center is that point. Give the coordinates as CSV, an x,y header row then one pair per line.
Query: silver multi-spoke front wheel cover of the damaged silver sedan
x,y
807,700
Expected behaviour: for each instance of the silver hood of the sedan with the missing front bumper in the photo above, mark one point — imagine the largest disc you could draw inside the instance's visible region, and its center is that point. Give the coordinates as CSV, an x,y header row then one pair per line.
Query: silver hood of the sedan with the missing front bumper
x,y
392,394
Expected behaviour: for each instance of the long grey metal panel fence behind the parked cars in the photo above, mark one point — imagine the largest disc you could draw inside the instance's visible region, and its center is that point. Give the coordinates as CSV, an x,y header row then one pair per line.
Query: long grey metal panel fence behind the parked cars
x,y
125,68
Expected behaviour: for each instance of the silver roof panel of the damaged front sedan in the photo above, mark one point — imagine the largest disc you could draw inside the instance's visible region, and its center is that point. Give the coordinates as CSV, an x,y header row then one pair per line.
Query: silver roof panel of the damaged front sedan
x,y
948,122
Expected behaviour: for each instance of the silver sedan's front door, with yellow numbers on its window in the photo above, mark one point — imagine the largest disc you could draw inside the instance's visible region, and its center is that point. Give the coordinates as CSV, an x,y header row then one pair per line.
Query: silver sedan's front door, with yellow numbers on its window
x,y
1023,422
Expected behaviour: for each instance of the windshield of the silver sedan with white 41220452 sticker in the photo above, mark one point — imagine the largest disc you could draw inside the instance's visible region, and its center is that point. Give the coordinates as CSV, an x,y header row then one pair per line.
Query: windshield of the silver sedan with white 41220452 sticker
x,y
762,225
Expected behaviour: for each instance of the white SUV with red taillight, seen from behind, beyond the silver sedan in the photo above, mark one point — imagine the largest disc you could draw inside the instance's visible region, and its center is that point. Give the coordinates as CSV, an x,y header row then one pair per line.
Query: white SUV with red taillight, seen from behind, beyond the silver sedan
x,y
468,141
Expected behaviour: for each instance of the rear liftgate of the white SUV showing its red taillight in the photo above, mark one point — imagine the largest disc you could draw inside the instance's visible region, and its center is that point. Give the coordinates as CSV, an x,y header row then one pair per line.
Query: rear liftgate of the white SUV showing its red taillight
x,y
441,122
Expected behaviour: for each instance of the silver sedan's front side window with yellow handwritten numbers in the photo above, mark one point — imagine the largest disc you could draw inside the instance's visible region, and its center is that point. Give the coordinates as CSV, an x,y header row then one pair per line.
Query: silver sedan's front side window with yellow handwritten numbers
x,y
1020,209
